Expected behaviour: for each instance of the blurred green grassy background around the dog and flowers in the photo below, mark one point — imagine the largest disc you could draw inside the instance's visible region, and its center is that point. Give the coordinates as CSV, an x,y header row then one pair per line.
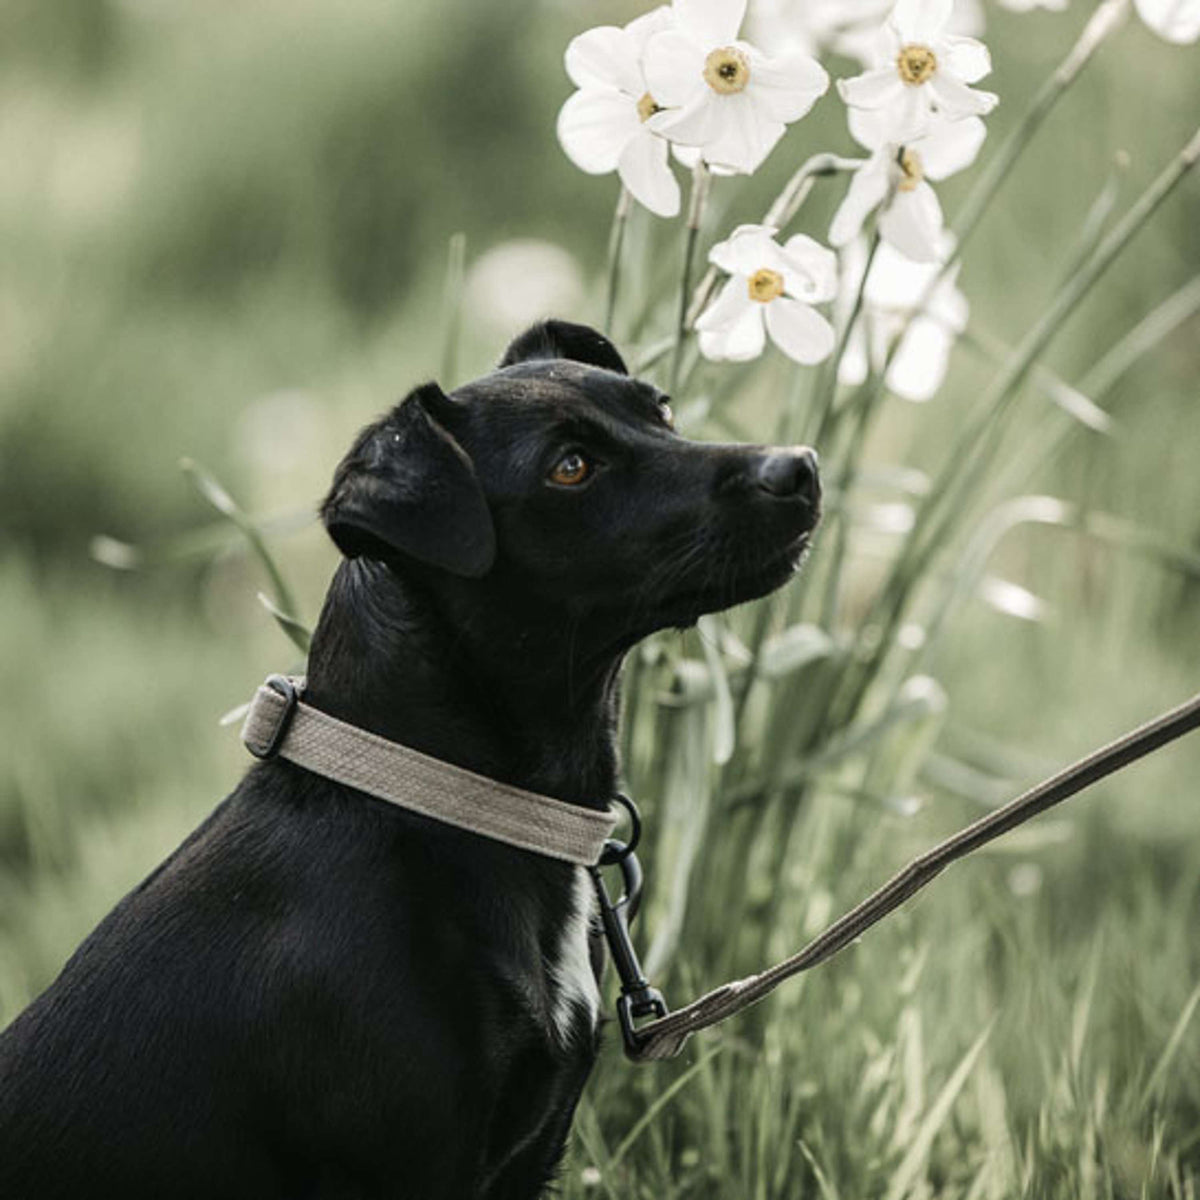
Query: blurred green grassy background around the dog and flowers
x,y
226,232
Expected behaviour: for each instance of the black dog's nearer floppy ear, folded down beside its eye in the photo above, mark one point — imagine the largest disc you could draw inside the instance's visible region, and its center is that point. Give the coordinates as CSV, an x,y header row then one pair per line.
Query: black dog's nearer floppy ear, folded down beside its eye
x,y
409,487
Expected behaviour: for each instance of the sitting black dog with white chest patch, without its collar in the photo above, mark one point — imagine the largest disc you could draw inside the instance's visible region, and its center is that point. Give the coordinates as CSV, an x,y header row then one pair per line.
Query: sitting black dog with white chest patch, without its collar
x,y
320,995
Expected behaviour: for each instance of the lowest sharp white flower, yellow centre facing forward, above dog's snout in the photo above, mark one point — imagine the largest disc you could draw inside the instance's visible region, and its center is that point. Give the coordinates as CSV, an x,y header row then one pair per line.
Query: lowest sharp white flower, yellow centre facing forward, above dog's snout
x,y
771,291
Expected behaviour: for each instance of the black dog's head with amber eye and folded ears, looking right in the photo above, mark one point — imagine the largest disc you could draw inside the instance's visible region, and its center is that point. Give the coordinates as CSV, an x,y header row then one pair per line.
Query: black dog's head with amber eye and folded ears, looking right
x,y
557,488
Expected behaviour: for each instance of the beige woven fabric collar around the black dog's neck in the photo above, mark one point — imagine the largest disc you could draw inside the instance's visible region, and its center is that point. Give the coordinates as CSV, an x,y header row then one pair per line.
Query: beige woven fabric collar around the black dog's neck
x,y
279,723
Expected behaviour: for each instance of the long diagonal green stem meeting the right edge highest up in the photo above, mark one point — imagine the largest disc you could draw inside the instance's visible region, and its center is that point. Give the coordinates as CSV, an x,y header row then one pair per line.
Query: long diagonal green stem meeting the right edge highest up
x,y
970,448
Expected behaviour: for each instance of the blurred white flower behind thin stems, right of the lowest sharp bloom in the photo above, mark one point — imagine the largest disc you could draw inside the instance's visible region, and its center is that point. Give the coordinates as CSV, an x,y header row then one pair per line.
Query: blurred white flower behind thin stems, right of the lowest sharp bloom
x,y
895,289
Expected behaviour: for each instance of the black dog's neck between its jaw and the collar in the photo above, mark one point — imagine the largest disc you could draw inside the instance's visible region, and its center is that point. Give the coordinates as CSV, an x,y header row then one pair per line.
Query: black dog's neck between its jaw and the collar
x,y
391,657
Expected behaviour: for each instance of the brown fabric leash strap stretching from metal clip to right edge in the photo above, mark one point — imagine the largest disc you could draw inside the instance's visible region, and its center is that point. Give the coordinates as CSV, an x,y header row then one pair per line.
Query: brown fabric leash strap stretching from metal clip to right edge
x,y
665,1037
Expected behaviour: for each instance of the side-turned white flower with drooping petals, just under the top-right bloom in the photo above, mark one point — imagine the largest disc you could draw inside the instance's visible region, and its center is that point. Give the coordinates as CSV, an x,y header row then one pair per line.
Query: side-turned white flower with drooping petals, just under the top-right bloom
x,y
913,220
